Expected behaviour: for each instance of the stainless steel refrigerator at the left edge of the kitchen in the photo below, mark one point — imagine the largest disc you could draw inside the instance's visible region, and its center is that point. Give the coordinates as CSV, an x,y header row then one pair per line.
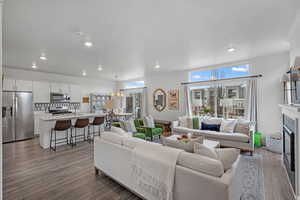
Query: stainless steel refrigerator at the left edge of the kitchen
x,y
17,116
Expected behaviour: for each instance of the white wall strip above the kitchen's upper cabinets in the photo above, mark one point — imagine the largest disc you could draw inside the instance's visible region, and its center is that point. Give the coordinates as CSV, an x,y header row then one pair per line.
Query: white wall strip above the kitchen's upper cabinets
x,y
86,84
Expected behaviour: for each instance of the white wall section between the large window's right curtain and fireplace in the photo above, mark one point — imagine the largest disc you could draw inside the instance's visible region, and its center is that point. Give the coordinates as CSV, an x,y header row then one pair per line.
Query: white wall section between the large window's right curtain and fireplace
x,y
270,90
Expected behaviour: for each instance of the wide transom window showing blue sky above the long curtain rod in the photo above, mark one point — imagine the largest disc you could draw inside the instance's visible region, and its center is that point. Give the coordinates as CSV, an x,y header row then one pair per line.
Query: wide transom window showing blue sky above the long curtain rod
x,y
220,73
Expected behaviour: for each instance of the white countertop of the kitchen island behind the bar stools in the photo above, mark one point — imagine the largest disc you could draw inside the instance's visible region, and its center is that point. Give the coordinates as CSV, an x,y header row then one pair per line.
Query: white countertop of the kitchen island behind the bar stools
x,y
50,117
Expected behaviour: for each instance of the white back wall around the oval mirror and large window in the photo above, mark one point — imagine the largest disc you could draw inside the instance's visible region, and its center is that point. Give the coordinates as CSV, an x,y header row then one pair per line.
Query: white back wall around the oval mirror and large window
x,y
270,91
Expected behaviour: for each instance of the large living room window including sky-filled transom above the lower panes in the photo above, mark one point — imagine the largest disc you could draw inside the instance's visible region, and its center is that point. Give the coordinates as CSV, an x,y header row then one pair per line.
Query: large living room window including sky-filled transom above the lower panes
x,y
222,99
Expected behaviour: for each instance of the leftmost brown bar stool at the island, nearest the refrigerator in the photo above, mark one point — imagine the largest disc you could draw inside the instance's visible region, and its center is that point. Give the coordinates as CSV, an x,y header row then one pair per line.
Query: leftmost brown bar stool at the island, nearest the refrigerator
x,y
60,125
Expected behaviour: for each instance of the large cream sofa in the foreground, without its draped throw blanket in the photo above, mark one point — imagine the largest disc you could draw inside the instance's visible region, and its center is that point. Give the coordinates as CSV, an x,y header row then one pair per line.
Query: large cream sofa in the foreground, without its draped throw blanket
x,y
196,177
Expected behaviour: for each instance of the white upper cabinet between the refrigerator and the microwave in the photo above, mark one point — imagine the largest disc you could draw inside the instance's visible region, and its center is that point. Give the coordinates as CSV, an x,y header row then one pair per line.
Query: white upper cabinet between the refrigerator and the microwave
x,y
41,92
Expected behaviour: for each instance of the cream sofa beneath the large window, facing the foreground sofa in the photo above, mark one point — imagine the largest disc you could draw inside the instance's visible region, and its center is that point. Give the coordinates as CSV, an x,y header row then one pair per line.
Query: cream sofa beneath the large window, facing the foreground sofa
x,y
242,136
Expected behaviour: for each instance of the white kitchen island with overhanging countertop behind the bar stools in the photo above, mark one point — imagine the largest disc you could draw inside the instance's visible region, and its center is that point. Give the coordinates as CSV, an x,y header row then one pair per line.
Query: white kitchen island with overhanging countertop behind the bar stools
x,y
47,122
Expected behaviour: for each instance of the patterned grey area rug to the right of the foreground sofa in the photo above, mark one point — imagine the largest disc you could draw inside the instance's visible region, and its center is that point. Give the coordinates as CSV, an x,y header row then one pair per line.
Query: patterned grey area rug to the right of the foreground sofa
x,y
251,173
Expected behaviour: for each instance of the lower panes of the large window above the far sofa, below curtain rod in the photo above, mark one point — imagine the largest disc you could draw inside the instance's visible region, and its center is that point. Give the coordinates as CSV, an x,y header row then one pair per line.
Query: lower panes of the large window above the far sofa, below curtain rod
x,y
226,100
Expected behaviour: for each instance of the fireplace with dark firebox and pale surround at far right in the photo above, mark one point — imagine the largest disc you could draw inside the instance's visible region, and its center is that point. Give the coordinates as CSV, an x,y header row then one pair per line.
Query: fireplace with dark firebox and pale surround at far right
x,y
289,130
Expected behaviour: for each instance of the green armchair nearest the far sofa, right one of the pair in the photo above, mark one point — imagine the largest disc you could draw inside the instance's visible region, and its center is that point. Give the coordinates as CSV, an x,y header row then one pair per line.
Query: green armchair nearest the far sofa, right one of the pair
x,y
150,133
